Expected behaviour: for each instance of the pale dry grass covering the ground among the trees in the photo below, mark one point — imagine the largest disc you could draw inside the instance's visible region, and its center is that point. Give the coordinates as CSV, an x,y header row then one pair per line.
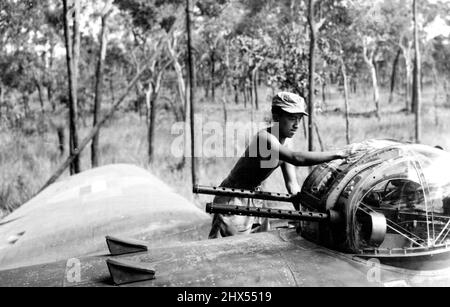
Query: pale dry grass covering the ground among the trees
x,y
29,156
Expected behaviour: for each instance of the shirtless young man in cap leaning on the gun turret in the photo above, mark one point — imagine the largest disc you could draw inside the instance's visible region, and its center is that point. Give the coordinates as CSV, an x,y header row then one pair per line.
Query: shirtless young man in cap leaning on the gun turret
x,y
269,149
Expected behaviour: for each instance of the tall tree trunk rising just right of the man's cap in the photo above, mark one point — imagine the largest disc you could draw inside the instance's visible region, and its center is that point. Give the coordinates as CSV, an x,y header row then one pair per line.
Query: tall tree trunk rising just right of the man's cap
x,y
312,63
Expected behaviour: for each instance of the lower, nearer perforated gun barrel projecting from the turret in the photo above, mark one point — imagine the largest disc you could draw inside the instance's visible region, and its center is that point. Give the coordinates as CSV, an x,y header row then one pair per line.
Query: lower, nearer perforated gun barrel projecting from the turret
x,y
266,212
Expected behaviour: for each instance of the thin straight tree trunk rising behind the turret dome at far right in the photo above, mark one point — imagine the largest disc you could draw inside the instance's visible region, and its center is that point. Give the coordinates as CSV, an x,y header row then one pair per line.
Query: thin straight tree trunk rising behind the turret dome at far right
x,y
416,81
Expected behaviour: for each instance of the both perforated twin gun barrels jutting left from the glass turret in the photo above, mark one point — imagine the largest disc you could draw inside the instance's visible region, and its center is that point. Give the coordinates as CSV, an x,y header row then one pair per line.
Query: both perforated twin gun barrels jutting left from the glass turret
x,y
330,216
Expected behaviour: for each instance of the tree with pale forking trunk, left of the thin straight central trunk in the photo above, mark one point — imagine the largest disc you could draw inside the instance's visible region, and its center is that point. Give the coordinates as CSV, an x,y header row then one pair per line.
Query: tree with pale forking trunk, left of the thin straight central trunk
x,y
156,28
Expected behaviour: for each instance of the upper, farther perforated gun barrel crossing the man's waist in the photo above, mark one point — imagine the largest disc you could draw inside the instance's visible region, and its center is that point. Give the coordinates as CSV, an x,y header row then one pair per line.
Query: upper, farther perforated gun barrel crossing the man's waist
x,y
232,192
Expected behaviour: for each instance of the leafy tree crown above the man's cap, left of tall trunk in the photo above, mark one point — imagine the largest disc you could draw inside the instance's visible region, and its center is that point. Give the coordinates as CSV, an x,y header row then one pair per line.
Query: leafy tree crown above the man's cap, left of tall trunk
x,y
284,41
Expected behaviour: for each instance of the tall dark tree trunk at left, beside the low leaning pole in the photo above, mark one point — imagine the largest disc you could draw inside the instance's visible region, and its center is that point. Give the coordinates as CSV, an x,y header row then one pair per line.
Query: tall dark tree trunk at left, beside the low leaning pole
x,y
72,57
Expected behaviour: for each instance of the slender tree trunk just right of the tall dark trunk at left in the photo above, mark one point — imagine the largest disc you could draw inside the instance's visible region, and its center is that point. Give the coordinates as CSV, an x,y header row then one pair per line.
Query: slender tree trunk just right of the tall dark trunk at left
x,y
99,89
